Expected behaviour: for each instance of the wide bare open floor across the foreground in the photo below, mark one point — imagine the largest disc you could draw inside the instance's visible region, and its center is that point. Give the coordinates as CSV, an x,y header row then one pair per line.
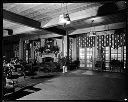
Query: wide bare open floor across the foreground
x,y
74,85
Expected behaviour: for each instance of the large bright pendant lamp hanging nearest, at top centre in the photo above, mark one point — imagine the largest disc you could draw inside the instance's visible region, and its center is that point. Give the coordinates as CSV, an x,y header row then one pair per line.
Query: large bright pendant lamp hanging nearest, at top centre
x,y
64,18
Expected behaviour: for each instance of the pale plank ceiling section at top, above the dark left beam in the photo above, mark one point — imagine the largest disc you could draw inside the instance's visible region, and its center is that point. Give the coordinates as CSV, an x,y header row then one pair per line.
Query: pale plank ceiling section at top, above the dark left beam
x,y
42,11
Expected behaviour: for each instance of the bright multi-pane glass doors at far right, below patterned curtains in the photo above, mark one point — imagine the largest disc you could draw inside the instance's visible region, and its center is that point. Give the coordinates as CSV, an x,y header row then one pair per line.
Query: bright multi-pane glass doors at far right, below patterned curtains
x,y
110,53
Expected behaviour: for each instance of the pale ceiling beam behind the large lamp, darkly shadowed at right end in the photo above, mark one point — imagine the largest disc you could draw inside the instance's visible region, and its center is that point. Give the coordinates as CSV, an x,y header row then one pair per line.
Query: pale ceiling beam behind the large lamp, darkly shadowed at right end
x,y
94,11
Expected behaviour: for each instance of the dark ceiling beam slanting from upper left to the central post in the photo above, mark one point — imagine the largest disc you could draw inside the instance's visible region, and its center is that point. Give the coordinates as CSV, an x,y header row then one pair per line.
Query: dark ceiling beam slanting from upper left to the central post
x,y
29,22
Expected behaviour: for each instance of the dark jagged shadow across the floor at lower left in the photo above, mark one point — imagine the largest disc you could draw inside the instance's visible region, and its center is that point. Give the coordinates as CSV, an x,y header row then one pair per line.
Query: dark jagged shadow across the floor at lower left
x,y
28,87
